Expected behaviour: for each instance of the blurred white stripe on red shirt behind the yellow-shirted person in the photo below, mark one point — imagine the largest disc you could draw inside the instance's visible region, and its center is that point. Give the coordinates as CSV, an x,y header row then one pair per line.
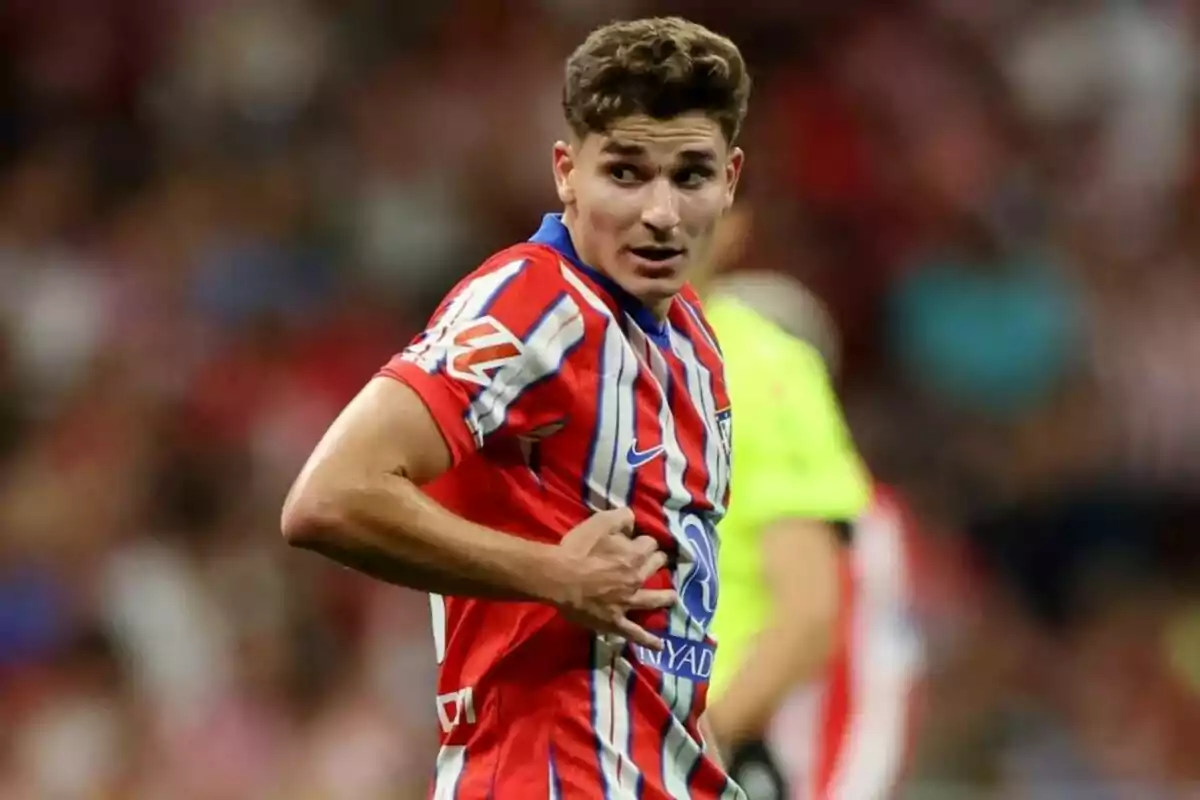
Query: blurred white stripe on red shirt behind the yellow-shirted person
x,y
884,666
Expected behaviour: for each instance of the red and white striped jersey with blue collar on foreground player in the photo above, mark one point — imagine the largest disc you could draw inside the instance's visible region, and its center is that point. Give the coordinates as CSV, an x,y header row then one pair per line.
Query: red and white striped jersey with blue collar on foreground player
x,y
559,396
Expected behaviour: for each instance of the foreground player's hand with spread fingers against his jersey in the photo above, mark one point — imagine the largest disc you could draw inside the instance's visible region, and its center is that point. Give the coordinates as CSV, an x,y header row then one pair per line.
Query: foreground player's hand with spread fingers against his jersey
x,y
602,570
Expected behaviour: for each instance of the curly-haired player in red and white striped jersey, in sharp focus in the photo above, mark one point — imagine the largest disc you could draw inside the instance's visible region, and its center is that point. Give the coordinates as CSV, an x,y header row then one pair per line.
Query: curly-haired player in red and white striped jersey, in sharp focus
x,y
550,459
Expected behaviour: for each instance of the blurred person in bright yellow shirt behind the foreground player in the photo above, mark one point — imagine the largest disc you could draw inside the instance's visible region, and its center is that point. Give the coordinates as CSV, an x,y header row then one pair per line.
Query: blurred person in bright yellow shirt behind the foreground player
x,y
799,485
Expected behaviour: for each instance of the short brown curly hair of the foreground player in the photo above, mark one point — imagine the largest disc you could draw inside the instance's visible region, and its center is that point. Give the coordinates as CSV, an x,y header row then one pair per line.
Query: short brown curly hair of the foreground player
x,y
661,68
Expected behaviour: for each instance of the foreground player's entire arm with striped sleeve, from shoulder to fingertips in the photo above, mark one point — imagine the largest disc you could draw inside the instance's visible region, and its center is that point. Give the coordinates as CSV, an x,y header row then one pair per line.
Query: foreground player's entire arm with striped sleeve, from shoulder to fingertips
x,y
470,377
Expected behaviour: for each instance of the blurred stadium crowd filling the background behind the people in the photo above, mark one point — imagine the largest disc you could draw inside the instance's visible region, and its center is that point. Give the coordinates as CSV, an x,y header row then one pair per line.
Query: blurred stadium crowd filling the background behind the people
x,y
218,218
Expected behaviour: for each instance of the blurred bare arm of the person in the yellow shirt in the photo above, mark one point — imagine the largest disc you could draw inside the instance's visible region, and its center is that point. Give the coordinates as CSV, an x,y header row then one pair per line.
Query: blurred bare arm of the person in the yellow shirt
x,y
801,562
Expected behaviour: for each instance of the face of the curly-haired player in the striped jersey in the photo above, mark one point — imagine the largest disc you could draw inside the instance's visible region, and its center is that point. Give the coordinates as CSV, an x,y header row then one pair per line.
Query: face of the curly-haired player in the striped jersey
x,y
644,200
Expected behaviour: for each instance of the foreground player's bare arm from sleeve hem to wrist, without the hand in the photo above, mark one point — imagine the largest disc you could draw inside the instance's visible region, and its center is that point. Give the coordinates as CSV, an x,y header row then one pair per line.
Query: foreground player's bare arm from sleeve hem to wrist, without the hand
x,y
358,502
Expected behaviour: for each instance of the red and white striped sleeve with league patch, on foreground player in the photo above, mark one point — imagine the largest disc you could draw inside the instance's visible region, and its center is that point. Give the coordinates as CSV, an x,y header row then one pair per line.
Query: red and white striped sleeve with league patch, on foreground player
x,y
494,360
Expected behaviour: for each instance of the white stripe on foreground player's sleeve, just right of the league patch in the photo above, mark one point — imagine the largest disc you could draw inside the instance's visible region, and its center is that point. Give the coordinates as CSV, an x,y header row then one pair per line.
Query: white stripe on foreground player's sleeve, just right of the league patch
x,y
545,350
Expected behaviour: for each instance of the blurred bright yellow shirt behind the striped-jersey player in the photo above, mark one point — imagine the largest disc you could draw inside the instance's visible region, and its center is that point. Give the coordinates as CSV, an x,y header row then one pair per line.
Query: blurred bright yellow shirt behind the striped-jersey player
x,y
793,459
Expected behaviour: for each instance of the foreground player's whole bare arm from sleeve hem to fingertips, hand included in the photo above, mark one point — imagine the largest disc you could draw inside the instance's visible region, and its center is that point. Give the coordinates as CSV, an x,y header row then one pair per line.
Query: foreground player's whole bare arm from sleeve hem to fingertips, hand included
x,y
358,502
